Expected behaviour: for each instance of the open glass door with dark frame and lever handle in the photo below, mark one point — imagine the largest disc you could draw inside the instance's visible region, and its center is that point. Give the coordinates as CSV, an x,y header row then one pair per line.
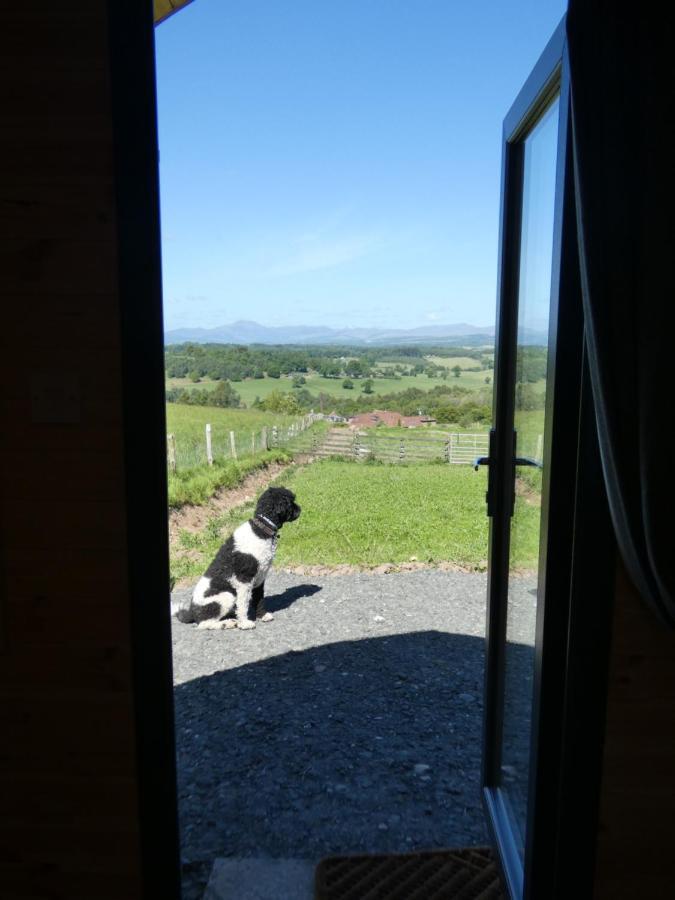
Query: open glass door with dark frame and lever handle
x,y
532,479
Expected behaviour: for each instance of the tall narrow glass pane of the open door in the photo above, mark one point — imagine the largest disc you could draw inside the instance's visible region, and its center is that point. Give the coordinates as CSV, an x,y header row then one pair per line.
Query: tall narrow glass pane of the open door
x,y
534,295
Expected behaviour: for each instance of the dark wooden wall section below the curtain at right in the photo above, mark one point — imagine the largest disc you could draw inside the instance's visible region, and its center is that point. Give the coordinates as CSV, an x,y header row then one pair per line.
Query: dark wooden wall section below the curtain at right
x,y
637,806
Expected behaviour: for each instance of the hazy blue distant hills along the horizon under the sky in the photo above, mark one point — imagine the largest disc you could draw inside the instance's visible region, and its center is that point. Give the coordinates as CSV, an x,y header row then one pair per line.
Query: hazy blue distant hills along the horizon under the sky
x,y
245,332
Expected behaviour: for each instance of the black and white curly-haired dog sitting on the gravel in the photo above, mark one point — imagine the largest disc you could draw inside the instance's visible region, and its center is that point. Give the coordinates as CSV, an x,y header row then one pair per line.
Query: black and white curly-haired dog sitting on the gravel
x,y
235,580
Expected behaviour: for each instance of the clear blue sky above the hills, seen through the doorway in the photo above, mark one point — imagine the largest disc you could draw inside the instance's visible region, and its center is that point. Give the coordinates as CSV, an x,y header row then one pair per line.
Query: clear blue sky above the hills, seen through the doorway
x,y
337,163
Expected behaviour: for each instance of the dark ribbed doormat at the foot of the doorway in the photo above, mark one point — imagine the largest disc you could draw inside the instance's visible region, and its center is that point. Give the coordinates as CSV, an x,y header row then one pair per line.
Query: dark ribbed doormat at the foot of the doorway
x,y
466,874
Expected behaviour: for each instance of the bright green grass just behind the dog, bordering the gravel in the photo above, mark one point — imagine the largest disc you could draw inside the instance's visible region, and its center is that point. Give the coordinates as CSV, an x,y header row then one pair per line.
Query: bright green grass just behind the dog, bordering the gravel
x,y
367,515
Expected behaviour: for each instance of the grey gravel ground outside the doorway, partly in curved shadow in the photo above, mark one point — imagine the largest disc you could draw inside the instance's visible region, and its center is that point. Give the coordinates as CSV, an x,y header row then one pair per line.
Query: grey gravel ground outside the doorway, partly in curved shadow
x,y
351,723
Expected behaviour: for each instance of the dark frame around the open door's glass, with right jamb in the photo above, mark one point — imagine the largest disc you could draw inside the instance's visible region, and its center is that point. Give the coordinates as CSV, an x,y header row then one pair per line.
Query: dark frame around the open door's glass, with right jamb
x,y
569,680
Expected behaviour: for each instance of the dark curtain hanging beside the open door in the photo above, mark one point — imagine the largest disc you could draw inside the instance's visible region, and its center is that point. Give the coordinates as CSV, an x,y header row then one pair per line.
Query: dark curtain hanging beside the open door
x,y
622,75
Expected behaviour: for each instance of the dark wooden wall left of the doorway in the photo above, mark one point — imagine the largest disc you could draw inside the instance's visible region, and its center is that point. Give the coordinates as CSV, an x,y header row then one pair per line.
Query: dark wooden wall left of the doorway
x,y
68,786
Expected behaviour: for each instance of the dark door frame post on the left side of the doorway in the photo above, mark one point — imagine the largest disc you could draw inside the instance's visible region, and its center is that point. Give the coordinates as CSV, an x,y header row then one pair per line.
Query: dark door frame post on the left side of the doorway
x,y
135,176
